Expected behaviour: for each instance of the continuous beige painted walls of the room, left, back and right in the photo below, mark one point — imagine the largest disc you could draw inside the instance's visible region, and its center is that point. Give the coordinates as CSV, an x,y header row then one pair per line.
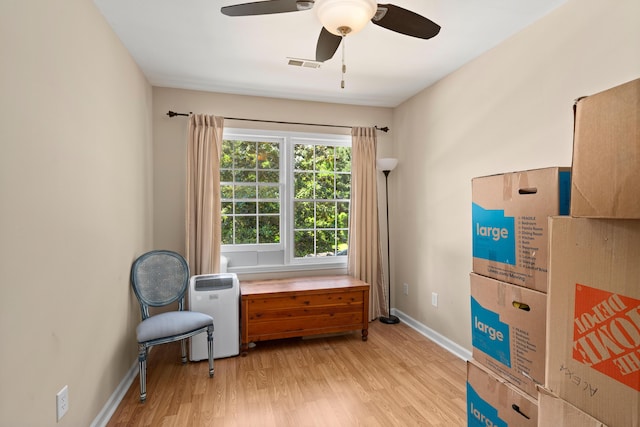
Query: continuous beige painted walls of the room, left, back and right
x,y
77,178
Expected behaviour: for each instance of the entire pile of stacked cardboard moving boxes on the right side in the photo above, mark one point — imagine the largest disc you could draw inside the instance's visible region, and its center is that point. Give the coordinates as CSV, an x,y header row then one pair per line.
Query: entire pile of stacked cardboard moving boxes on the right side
x,y
565,290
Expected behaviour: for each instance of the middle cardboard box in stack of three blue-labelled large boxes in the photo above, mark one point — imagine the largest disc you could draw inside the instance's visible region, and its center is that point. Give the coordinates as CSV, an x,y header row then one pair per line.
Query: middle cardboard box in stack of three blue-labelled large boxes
x,y
508,331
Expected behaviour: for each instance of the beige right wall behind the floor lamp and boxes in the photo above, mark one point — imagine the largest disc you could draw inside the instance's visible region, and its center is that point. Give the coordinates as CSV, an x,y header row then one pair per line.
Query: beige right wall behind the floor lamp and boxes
x,y
509,110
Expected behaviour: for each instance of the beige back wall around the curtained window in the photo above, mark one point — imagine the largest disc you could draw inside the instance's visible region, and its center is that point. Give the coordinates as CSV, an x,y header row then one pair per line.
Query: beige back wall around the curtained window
x,y
170,141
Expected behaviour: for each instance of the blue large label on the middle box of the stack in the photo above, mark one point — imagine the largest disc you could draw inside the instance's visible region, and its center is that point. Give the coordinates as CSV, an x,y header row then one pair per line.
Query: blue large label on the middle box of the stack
x,y
489,334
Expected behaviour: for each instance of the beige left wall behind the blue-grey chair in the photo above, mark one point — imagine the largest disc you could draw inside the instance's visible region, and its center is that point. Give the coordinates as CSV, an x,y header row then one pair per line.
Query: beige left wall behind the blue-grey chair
x,y
75,209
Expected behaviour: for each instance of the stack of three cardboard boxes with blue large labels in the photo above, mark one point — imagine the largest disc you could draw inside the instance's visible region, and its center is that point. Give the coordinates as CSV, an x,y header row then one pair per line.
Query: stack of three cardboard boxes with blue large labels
x,y
508,291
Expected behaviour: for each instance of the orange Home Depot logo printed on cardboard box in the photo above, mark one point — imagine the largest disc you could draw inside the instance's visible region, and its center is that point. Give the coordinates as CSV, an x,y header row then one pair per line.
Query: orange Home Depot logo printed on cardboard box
x,y
606,334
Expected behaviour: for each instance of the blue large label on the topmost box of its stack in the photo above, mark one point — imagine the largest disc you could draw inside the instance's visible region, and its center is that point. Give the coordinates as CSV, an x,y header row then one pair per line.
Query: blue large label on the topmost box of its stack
x,y
493,235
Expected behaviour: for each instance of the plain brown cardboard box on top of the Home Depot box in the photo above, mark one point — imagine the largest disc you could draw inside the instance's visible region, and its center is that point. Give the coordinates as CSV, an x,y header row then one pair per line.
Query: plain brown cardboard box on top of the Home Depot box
x,y
606,154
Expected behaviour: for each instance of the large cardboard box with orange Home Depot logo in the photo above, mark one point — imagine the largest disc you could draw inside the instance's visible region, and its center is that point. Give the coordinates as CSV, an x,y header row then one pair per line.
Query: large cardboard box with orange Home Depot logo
x,y
593,323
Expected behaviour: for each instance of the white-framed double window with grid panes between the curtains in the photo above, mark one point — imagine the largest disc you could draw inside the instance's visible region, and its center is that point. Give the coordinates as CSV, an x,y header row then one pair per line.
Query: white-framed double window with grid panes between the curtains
x,y
285,198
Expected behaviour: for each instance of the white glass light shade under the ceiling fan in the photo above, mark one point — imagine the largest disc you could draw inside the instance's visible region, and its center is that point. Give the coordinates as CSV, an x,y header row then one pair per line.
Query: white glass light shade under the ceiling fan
x,y
342,17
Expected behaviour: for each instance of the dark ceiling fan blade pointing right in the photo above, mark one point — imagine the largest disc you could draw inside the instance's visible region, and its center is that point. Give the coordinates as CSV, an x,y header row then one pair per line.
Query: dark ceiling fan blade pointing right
x,y
404,21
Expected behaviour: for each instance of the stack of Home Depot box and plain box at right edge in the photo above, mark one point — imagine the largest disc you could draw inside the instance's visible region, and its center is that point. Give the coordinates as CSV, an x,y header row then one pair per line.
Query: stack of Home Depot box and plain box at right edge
x,y
593,323
